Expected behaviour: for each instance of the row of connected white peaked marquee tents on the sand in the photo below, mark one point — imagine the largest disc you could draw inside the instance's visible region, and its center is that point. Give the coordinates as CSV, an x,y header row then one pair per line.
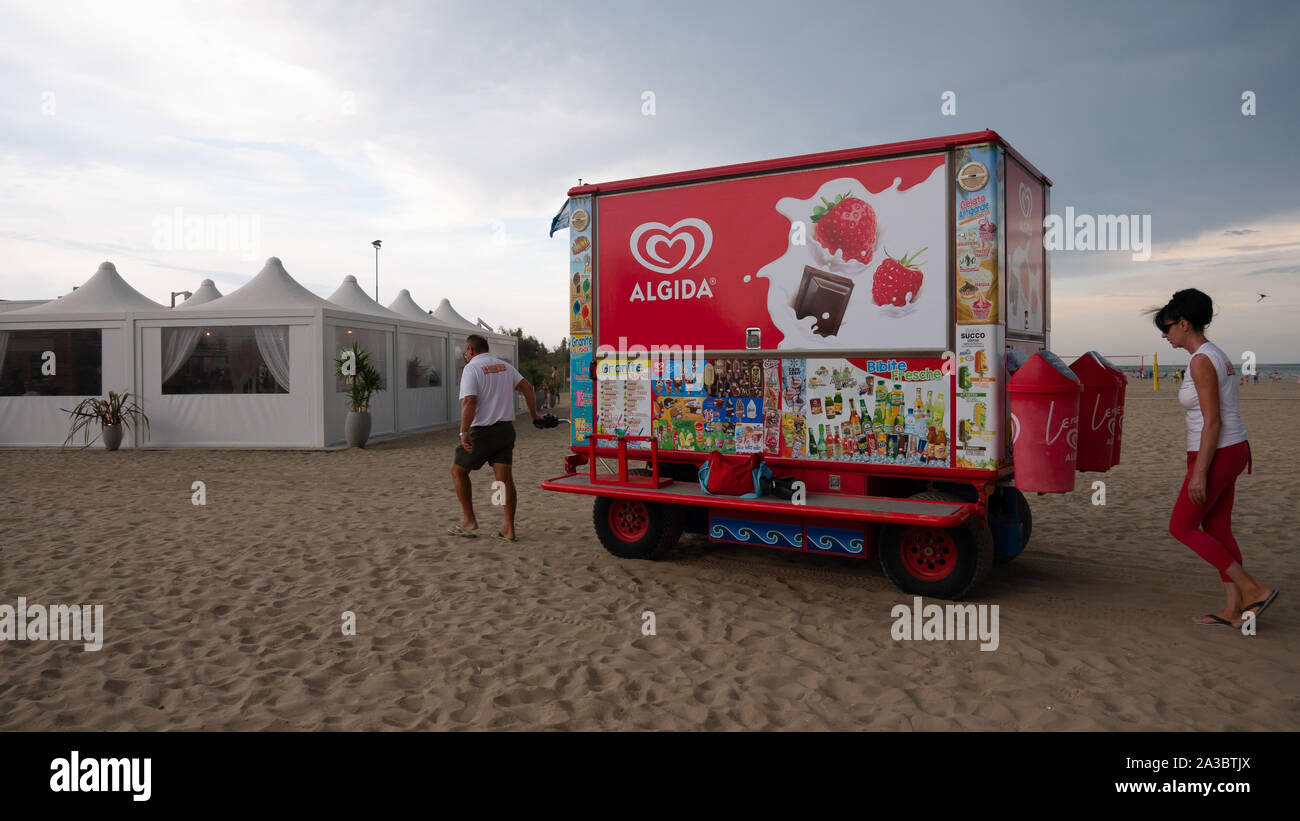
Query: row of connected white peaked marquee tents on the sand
x,y
254,368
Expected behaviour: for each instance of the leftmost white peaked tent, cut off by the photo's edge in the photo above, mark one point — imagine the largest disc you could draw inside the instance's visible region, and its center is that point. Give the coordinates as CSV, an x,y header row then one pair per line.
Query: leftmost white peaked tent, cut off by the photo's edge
x,y
59,353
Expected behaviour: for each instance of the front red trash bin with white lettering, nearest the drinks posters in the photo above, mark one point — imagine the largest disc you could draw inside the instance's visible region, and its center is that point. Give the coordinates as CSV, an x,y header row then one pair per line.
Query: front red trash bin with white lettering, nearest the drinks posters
x,y
1045,398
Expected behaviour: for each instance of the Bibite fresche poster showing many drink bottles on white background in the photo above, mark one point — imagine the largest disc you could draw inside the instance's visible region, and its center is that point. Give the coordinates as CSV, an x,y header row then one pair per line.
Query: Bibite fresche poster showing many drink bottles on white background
x,y
887,411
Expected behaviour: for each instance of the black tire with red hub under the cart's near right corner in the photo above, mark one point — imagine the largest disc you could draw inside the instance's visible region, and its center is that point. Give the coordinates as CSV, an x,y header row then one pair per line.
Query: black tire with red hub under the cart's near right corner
x,y
961,561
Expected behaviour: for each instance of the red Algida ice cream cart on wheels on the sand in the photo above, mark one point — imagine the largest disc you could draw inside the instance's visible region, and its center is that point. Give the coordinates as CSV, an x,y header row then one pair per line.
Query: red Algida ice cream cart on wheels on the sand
x,y
856,319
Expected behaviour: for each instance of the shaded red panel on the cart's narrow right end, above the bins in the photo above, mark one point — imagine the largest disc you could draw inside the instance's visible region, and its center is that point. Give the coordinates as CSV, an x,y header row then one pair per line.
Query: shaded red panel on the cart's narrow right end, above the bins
x,y
1025,254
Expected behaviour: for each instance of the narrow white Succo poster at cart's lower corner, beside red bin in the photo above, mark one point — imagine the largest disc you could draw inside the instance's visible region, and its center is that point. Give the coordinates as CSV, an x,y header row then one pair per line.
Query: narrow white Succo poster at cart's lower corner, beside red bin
x,y
980,397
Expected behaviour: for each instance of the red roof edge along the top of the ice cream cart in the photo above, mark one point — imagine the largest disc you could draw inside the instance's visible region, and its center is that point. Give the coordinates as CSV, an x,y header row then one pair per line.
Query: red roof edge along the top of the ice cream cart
x,y
830,158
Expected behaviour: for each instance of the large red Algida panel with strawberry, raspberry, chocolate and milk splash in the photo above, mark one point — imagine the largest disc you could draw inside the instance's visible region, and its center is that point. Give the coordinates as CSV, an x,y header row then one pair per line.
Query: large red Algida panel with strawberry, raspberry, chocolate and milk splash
x,y
846,258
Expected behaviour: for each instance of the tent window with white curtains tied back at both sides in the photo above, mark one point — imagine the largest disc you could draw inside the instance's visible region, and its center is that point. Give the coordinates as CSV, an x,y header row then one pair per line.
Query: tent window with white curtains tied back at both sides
x,y
226,359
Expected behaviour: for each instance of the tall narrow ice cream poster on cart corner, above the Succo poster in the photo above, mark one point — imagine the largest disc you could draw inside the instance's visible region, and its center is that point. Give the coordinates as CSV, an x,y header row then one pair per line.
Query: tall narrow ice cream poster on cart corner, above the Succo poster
x,y
978,298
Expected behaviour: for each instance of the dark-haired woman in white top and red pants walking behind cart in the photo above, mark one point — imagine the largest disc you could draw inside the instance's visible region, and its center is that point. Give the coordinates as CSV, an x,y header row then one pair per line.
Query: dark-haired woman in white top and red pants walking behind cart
x,y
1217,453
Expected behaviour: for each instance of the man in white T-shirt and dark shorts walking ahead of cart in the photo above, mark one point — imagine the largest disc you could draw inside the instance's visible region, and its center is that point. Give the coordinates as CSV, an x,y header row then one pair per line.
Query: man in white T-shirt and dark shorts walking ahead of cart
x,y
488,389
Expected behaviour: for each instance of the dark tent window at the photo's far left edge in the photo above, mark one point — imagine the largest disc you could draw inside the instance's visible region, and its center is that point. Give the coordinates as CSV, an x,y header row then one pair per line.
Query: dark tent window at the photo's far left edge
x,y
76,363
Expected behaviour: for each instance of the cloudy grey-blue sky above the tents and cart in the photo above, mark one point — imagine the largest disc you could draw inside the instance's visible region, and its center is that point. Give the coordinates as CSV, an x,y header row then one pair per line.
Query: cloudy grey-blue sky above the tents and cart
x,y
452,132
